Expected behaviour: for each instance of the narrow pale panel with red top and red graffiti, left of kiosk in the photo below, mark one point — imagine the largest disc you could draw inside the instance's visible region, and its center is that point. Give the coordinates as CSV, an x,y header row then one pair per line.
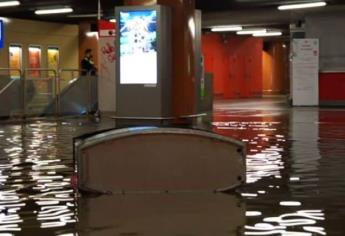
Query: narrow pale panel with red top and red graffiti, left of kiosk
x,y
106,84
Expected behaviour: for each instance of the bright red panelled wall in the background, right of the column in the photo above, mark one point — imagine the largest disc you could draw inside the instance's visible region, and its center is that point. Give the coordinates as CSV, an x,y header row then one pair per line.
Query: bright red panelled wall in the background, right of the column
x,y
236,63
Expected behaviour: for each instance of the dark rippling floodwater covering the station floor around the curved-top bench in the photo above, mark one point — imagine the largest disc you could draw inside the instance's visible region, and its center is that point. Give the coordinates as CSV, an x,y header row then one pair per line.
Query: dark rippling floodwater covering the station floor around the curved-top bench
x,y
295,180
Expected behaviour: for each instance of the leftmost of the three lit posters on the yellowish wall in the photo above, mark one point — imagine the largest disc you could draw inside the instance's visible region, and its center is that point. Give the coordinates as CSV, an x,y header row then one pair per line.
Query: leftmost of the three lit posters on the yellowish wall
x,y
15,60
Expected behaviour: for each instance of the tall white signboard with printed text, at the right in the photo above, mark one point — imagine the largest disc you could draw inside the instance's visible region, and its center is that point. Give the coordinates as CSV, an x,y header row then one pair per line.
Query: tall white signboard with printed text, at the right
x,y
305,72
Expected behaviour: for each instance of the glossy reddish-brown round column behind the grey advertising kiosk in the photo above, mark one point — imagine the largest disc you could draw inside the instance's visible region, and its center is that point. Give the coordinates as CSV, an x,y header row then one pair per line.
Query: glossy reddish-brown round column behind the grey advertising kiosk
x,y
183,88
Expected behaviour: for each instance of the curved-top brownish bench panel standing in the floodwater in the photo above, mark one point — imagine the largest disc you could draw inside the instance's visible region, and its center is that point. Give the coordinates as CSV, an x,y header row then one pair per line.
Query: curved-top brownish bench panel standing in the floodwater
x,y
149,159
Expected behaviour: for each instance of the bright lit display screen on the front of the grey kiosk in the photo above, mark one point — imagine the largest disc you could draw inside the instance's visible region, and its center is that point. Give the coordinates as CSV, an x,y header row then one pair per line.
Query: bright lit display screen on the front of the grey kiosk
x,y
138,47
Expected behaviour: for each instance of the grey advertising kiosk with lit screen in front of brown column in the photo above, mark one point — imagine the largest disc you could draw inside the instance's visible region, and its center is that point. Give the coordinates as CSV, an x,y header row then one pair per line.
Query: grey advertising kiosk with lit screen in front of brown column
x,y
143,66
